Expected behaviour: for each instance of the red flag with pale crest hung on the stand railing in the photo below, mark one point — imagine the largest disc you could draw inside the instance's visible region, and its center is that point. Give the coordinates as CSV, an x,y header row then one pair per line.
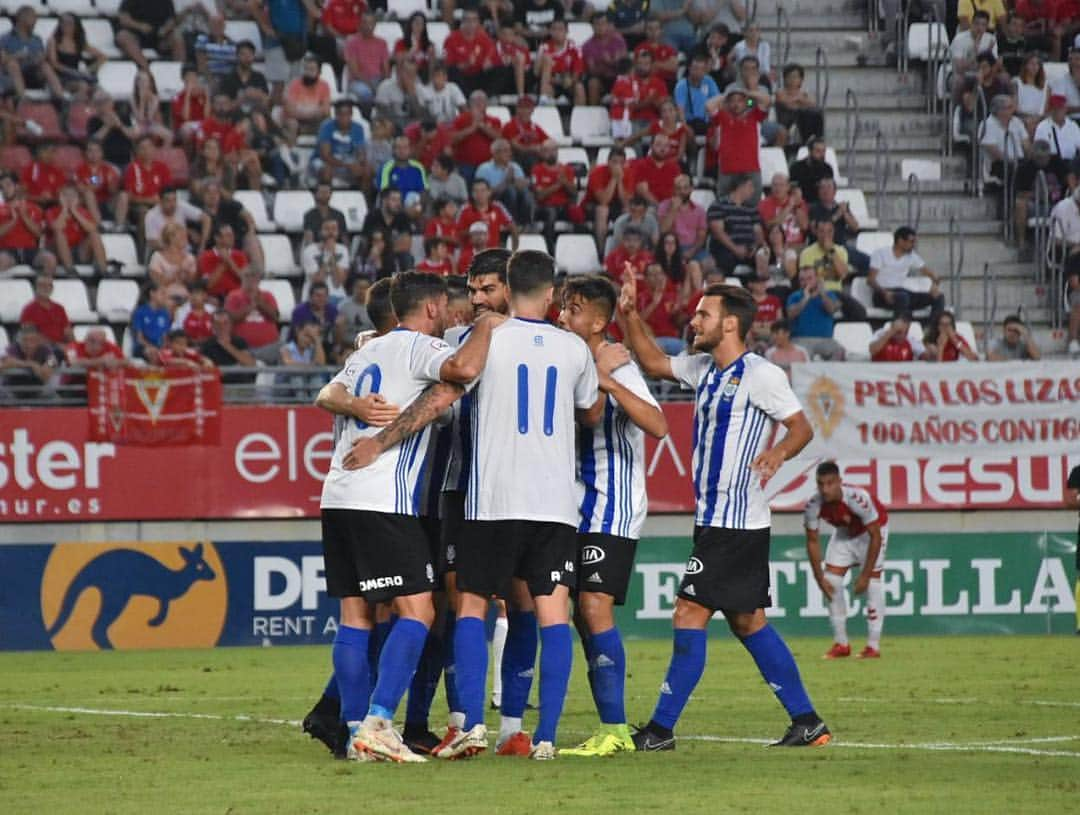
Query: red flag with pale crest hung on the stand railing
x,y
155,406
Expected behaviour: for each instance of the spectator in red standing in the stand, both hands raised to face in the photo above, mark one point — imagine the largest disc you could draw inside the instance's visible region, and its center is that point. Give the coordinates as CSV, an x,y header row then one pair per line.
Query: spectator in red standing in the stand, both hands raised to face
x,y
737,127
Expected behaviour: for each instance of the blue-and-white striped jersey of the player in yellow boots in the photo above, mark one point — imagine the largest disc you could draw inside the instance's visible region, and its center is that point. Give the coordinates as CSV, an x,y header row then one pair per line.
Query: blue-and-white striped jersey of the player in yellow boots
x,y
612,466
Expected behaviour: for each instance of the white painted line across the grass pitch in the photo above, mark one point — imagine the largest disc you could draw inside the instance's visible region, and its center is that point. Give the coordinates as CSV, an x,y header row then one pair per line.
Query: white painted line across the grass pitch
x,y
933,746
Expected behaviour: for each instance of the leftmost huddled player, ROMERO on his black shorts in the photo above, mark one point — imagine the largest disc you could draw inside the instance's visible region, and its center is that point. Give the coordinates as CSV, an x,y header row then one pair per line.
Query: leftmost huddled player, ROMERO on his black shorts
x,y
374,547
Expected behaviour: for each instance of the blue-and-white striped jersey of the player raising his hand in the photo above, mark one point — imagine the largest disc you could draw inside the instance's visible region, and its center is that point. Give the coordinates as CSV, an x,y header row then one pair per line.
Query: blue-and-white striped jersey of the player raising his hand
x,y
737,410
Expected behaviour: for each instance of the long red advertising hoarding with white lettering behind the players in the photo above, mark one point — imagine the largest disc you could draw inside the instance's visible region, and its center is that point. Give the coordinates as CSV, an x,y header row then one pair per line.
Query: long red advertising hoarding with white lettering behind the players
x,y
272,460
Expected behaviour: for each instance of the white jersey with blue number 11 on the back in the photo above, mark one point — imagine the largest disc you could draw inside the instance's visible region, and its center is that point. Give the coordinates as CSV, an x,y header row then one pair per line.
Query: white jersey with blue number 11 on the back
x,y
522,420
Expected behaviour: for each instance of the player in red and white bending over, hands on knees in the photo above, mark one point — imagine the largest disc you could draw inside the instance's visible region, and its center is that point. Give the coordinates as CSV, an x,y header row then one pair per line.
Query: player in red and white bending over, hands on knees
x,y
860,536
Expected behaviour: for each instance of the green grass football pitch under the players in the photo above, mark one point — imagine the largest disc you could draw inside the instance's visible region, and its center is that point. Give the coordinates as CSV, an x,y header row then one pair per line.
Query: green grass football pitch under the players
x,y
940,725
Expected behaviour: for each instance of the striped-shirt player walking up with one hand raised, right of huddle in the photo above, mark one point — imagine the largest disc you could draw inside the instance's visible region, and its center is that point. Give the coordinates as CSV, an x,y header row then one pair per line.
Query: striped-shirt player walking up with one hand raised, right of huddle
x,y
740,398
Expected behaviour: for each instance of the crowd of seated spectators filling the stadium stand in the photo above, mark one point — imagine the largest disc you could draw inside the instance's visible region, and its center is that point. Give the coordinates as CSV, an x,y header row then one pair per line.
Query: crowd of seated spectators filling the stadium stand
x,y
151,144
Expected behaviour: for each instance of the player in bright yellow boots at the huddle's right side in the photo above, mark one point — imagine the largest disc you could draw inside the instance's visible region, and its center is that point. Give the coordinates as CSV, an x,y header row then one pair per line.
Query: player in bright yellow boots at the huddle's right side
x,y
612,484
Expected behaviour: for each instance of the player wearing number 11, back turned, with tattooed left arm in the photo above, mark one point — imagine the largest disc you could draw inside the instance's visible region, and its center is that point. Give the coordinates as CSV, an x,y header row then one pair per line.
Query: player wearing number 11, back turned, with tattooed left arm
x,y
514,546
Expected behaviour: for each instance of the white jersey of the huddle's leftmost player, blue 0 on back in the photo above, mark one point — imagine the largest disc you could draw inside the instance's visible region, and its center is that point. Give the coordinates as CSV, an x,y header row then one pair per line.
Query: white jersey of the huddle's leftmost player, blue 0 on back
x,y
399,365
